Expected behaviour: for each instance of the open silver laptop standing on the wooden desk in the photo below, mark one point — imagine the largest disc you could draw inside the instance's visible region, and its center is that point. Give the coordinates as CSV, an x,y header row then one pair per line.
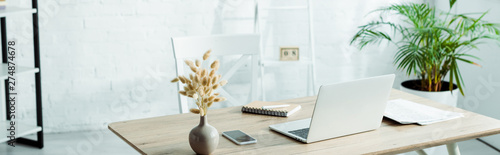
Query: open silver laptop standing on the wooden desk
x,y
342,109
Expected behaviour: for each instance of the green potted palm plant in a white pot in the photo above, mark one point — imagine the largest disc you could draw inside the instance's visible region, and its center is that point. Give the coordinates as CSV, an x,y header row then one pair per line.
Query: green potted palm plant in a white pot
x,y
430,44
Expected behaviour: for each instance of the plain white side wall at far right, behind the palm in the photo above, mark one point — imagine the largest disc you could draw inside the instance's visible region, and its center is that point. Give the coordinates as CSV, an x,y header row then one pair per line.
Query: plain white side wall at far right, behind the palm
x,y
482,91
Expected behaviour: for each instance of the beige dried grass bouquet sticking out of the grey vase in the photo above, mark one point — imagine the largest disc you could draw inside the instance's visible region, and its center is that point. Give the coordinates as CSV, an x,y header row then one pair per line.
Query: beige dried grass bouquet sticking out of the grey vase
x,y
201,85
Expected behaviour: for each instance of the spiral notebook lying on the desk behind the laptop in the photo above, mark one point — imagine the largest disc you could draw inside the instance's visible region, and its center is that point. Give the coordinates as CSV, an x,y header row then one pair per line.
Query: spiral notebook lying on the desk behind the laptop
x,y
256,108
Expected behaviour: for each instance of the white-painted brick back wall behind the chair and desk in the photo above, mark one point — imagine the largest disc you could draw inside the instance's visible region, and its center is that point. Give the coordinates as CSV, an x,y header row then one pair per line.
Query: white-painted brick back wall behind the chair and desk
x,y
111,60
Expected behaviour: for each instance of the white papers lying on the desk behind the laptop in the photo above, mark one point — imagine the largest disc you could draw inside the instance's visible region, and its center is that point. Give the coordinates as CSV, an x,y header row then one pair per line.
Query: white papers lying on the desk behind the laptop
x,y
407,112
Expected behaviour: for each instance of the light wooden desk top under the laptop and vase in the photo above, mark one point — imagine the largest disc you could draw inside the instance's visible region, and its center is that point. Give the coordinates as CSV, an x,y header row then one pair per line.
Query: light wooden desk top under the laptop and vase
x,y
169,134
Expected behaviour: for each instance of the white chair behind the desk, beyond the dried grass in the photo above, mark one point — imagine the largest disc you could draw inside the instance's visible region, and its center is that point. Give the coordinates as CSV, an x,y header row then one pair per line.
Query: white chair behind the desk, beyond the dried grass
x,y
246,46
